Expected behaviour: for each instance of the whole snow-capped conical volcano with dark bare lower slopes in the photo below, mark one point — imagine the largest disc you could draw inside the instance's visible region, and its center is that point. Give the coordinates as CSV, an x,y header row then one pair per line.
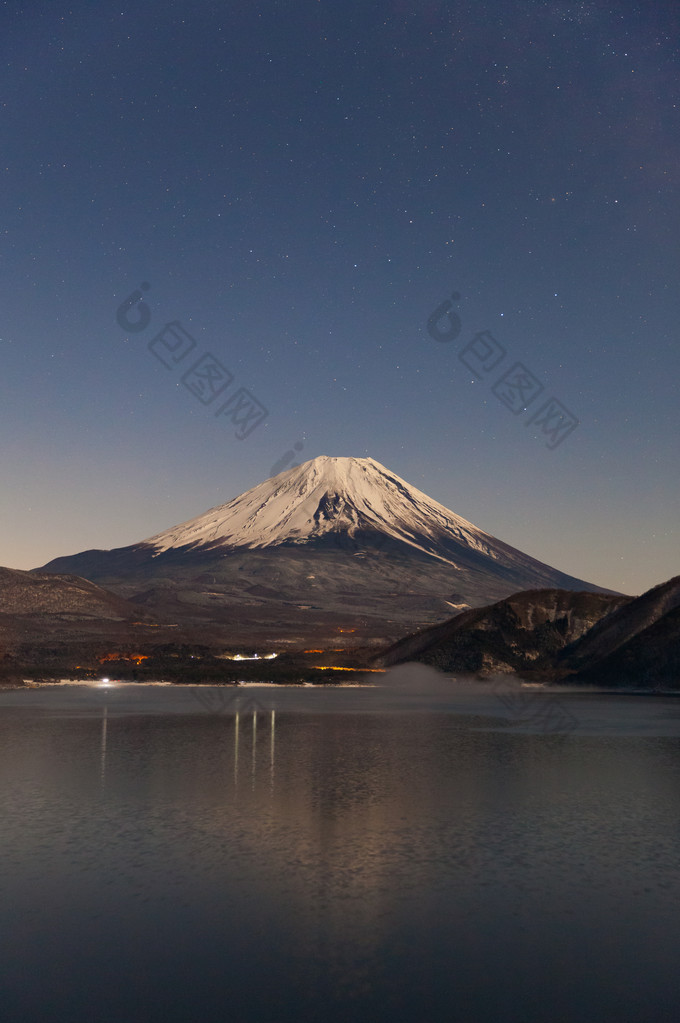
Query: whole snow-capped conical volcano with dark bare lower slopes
x,y
336,545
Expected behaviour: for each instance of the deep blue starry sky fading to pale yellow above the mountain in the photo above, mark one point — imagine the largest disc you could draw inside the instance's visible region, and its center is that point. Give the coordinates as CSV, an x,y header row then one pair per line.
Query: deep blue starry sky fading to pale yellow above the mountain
x,y
443,235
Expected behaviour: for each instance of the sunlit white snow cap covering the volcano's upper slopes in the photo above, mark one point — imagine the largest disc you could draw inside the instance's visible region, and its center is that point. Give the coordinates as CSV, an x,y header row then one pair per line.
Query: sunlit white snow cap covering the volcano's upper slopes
x,y
330,496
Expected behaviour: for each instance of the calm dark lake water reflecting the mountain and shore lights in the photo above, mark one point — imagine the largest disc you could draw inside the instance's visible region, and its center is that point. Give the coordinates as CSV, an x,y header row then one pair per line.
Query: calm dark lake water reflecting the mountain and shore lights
x,y
340,856
